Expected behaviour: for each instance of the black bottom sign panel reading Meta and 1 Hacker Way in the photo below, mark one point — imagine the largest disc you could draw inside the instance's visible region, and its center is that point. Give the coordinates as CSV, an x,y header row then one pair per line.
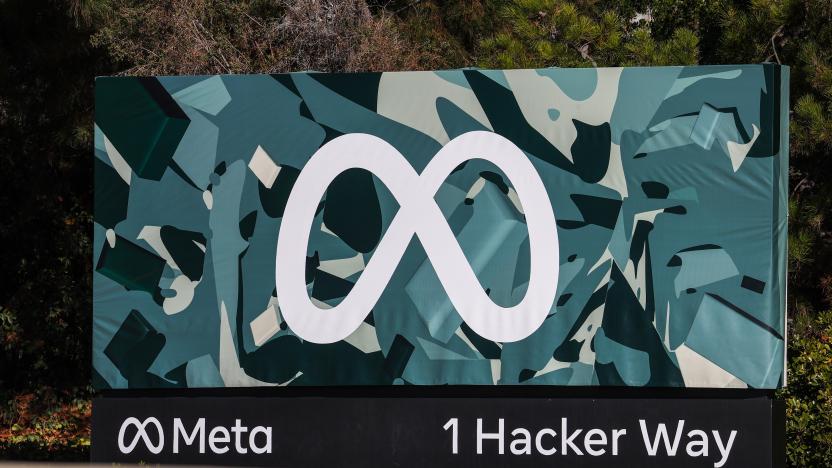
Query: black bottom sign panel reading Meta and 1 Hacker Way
x,y
426,432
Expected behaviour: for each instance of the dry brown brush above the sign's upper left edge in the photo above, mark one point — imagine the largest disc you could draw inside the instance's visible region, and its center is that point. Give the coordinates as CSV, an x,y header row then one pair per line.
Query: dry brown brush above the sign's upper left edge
x,y
164,37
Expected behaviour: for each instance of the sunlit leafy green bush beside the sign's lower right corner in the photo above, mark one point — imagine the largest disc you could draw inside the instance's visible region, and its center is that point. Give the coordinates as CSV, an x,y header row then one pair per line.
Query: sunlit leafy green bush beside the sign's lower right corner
x,y
808,396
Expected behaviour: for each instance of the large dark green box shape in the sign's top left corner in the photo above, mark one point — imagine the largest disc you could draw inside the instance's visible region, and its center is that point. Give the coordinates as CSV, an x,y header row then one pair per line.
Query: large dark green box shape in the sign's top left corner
x,y
141,120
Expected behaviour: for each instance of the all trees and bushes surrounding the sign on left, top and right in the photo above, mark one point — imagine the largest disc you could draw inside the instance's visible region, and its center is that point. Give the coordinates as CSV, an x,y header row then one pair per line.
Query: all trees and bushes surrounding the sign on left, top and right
x,y
51,50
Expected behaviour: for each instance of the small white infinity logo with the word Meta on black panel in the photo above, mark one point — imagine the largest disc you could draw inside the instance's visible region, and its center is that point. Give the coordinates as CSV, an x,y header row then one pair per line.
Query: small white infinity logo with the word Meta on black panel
x,y
218,439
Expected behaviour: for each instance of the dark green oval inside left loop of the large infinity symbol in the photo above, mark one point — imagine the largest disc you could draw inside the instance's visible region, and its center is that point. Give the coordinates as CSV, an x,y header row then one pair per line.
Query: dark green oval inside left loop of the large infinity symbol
x,y
352,210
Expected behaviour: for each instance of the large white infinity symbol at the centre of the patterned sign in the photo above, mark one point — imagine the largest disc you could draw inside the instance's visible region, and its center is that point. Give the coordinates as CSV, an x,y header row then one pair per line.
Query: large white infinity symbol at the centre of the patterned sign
x,y
419,215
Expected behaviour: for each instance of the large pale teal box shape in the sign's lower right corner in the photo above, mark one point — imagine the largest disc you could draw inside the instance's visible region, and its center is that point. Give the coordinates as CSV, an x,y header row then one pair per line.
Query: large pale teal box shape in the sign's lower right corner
x,y
736,344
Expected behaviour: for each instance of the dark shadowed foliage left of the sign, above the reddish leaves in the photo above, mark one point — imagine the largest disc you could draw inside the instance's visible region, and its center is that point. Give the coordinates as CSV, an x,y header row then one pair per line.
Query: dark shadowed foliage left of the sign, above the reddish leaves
x,y
47,69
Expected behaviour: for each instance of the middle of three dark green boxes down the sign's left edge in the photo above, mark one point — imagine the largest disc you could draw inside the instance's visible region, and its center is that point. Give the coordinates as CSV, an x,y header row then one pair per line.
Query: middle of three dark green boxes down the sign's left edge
x,y
132,267
